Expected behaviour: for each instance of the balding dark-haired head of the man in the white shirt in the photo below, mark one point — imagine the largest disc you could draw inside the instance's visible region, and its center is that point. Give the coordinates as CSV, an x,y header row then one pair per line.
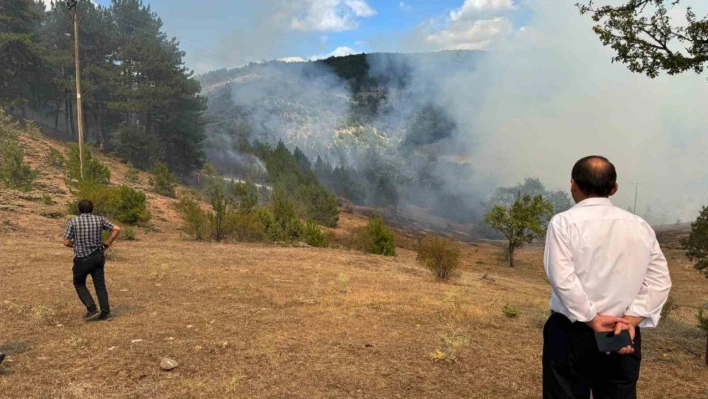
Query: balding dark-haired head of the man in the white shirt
x,y
595,176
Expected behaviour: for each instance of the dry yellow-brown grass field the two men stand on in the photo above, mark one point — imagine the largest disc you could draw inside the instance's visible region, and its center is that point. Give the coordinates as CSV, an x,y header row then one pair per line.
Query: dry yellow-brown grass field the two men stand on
x,y
254,321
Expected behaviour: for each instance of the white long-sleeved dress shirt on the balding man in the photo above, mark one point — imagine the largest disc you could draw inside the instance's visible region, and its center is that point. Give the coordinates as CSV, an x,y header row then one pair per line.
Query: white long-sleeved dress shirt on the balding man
x,y
601,259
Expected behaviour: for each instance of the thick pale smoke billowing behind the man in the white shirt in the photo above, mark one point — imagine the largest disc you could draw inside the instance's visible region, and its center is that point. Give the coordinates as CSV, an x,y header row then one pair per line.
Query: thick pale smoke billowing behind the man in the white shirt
x,y
550,95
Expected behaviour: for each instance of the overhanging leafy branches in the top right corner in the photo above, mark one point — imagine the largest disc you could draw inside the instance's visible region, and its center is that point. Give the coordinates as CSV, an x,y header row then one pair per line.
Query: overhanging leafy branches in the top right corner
x,y
646,39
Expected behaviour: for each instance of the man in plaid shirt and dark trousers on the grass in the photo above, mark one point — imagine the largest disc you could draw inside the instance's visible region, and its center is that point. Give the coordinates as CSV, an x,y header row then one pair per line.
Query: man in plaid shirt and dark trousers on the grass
x,y
84,235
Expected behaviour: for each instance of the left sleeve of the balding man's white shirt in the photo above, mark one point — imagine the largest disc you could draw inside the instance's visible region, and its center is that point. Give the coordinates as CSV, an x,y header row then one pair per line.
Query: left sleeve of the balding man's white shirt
x,y
558,261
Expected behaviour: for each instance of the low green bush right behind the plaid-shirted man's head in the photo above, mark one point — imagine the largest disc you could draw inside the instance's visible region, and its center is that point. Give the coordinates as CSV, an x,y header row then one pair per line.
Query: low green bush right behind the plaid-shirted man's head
x,y
122,204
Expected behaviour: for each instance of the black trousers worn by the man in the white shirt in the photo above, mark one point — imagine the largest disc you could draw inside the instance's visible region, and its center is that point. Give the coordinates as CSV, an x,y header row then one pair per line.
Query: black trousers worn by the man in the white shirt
x,y
573,368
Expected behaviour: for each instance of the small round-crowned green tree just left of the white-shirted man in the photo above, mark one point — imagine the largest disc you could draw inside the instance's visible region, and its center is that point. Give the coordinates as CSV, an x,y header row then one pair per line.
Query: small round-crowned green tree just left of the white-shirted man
x,y
522,222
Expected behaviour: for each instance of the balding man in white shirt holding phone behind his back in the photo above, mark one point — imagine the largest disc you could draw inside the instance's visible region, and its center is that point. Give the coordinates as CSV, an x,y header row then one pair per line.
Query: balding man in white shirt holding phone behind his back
x,y
607,273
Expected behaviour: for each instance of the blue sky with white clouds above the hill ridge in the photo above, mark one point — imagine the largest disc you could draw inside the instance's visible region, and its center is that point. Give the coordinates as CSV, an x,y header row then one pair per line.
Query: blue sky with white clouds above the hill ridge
x,y
230,33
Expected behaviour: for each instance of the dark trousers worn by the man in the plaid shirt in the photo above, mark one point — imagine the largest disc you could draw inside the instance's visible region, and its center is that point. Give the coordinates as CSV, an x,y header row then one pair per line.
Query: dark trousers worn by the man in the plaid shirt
x,y
91,265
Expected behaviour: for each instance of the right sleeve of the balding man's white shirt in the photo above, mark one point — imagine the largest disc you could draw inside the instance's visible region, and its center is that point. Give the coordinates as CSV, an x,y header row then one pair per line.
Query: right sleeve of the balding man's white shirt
x,y
655,289
